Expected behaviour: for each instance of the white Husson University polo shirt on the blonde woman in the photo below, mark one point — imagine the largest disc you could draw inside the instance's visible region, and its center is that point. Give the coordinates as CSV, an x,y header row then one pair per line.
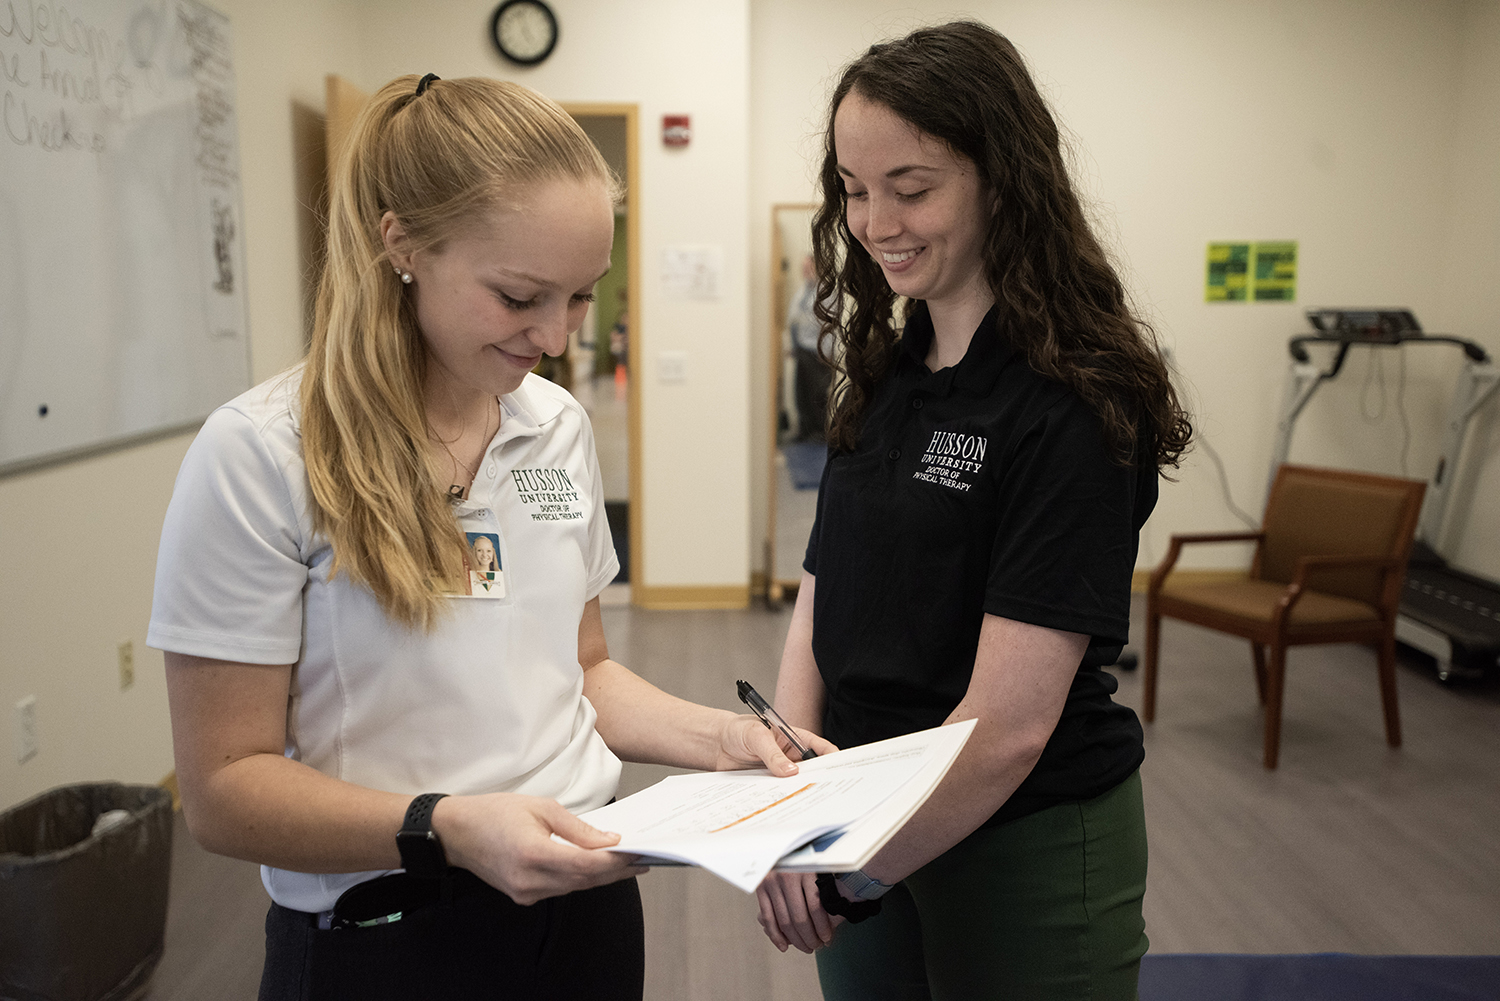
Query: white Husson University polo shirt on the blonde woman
x,y
490,702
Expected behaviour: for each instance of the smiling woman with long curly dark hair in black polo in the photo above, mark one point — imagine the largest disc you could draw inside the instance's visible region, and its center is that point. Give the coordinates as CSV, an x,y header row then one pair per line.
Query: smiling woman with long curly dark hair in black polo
x,y
995,446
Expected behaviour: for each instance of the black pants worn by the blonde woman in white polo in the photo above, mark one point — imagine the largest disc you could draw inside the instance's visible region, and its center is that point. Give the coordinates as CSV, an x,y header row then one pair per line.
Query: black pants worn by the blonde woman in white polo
x,y
482,945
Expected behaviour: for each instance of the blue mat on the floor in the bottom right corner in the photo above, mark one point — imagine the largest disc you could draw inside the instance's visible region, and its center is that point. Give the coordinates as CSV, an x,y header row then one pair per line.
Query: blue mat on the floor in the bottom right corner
x,y
1319,978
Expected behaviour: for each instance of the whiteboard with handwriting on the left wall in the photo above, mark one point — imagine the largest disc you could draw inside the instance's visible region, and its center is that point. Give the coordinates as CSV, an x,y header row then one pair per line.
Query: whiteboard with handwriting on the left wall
x,y
122,248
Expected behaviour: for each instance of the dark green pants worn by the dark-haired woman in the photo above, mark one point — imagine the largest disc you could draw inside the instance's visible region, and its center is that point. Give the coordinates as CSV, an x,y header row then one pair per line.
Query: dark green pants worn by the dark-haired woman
x,y
1043,907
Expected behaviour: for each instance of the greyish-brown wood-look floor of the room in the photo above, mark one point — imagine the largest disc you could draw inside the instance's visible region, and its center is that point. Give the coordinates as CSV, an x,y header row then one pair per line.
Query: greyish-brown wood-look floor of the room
x,y
1349,847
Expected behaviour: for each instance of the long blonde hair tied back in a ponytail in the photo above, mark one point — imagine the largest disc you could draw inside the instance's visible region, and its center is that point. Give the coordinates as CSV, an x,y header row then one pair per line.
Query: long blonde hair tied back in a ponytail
x,y
437,161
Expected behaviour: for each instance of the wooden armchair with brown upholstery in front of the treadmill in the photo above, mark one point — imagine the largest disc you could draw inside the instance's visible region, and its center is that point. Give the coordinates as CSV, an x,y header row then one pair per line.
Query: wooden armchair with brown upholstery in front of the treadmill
x,y
1330,565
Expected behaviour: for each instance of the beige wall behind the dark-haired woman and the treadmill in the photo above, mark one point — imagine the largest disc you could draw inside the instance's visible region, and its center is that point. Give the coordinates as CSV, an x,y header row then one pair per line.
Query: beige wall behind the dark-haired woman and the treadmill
x,y
1366,131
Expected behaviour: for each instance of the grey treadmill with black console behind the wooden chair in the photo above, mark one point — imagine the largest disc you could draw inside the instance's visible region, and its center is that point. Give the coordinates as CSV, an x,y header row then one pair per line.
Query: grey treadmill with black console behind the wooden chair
x,y
1445,613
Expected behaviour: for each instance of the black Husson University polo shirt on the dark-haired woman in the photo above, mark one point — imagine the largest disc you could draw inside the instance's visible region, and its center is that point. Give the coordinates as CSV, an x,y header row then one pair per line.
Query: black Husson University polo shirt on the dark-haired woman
x,y
980,488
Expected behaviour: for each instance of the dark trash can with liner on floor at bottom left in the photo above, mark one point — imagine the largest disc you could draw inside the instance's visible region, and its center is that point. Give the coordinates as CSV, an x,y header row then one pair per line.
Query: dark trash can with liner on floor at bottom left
x,y
82,913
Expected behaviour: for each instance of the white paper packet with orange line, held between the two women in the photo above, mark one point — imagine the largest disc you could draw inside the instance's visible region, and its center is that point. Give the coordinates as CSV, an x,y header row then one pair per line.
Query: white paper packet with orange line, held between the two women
x,y
740,825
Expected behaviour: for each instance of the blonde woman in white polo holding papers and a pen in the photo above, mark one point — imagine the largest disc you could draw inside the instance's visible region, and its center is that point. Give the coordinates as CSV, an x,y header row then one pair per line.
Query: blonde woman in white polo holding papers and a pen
x,y
329,694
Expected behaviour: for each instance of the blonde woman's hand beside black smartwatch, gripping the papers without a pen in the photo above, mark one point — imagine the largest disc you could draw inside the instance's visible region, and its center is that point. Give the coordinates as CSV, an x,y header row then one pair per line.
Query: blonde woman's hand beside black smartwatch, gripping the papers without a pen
x,y
506,840
